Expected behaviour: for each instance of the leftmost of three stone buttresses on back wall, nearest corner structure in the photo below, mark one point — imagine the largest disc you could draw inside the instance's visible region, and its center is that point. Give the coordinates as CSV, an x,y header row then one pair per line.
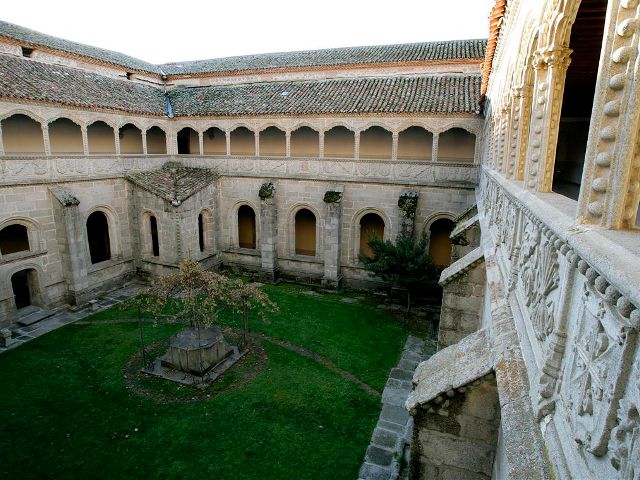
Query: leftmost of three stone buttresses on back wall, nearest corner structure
x,y
268,233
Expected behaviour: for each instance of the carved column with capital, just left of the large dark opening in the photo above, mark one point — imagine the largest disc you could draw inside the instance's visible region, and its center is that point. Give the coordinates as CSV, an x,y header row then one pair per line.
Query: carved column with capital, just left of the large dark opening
x,y
550,66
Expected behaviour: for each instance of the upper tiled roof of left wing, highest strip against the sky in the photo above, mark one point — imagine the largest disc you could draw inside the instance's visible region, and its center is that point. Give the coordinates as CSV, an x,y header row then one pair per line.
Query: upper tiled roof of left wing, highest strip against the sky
x,y
31,38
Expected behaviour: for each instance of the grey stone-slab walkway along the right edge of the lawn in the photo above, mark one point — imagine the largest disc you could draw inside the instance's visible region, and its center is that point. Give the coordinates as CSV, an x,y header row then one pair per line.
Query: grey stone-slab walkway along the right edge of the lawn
x,y
392,436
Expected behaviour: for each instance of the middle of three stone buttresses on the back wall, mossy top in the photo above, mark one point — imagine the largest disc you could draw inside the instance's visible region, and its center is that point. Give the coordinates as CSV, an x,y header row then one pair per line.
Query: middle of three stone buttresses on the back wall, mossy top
x,y
333,237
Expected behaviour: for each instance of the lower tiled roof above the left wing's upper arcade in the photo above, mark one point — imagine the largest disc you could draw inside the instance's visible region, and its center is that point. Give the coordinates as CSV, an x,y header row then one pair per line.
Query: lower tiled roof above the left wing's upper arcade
x,y
27,79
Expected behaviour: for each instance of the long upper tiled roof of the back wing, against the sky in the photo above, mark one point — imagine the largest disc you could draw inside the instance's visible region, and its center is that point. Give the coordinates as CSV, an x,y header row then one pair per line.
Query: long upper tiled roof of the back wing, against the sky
x,y
409,52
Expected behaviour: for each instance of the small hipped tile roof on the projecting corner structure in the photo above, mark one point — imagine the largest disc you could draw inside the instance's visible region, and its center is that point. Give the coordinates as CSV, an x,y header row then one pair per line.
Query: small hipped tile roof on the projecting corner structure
x,y
173,182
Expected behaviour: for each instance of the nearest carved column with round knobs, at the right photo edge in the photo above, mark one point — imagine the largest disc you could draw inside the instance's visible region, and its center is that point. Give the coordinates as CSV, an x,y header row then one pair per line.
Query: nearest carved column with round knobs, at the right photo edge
x,y
610,187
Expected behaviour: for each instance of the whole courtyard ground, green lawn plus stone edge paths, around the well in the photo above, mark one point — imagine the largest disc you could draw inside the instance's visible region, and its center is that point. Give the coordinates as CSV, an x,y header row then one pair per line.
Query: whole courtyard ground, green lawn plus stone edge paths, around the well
x,y
302,402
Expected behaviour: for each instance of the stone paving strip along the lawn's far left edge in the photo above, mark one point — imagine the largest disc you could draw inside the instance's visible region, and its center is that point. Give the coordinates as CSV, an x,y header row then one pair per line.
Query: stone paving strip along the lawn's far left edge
x,y
65,315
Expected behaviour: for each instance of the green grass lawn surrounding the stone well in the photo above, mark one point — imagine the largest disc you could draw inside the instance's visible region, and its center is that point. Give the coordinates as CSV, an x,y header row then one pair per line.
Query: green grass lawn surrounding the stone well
x,y
66,413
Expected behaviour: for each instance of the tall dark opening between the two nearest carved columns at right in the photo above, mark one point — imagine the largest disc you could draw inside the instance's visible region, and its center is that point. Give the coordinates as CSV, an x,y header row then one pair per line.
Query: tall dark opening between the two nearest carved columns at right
x,y
579,90
